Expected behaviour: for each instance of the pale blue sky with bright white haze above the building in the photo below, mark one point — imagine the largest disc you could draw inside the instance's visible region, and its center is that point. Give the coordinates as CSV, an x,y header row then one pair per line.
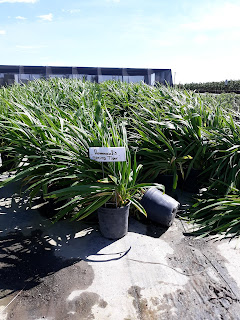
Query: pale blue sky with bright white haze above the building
x,y
198,40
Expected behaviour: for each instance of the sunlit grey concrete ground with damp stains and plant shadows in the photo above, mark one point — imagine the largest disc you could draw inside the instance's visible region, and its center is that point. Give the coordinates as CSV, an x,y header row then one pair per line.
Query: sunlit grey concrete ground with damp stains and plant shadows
x,y
69,271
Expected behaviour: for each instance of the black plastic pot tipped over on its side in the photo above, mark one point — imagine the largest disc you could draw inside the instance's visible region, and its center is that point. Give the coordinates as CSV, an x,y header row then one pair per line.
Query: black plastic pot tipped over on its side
x,y
160,207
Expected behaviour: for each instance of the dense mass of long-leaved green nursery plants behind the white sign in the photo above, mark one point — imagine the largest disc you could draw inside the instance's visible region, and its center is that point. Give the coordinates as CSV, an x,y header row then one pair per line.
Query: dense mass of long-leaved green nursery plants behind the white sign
x,y
48,126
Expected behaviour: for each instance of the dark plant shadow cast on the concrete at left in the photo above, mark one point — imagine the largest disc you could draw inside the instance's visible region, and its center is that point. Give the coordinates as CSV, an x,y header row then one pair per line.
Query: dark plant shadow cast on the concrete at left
x,y
32,248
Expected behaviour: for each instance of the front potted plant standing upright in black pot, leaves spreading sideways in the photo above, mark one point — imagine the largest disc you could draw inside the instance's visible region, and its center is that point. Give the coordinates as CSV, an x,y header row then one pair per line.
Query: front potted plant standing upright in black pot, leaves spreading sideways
x,y
111,197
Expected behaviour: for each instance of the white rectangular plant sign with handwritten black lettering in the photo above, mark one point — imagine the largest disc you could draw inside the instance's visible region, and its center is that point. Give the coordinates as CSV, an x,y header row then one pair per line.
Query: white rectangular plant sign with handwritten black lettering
x,y
105,154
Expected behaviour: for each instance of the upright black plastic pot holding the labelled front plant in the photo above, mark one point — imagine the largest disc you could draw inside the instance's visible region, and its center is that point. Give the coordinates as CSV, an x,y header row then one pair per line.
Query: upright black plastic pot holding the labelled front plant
x,y
113,222
